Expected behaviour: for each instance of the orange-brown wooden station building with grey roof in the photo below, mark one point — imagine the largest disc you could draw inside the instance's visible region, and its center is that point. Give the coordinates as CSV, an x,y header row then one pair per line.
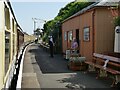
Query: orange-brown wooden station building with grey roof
x,y
93,27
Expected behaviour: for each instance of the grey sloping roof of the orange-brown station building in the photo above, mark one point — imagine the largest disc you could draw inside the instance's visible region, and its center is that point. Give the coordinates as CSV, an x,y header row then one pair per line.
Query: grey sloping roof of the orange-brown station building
x,y
96,4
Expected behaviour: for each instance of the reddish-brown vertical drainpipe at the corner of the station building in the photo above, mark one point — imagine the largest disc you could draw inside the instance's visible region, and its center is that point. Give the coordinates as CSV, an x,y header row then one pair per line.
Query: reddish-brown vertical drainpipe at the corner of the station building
x,y
93,32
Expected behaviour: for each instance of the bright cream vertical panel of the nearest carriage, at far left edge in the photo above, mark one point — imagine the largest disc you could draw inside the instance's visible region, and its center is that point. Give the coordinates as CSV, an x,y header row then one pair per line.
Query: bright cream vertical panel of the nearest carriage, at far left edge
x,y
2,46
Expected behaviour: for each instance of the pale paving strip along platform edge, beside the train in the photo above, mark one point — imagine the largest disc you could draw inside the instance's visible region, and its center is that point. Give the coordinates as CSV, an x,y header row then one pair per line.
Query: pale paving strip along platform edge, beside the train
x,y
29,77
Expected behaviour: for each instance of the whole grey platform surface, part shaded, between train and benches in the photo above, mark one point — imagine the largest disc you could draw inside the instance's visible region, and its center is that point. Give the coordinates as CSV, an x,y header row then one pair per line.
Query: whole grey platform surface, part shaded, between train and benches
x,y
41,71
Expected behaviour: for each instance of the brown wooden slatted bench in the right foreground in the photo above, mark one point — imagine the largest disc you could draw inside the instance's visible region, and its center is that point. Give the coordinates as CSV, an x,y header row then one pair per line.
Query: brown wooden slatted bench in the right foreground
x,y
106,66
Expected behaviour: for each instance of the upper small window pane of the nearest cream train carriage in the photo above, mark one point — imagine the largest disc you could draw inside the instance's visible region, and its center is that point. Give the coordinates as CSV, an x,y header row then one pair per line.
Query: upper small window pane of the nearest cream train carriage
x,y
7,18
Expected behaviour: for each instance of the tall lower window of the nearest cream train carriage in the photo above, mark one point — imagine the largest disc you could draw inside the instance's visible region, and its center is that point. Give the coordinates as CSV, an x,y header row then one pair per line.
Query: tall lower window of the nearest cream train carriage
x,y
7,50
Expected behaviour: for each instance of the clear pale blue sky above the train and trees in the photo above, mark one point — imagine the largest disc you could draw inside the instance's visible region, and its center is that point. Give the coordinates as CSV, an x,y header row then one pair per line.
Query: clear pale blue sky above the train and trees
x,y
25,11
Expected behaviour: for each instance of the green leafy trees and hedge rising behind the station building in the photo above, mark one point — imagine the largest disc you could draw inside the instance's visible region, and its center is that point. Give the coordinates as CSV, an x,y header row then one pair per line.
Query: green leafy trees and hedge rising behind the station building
x,y
53,27
